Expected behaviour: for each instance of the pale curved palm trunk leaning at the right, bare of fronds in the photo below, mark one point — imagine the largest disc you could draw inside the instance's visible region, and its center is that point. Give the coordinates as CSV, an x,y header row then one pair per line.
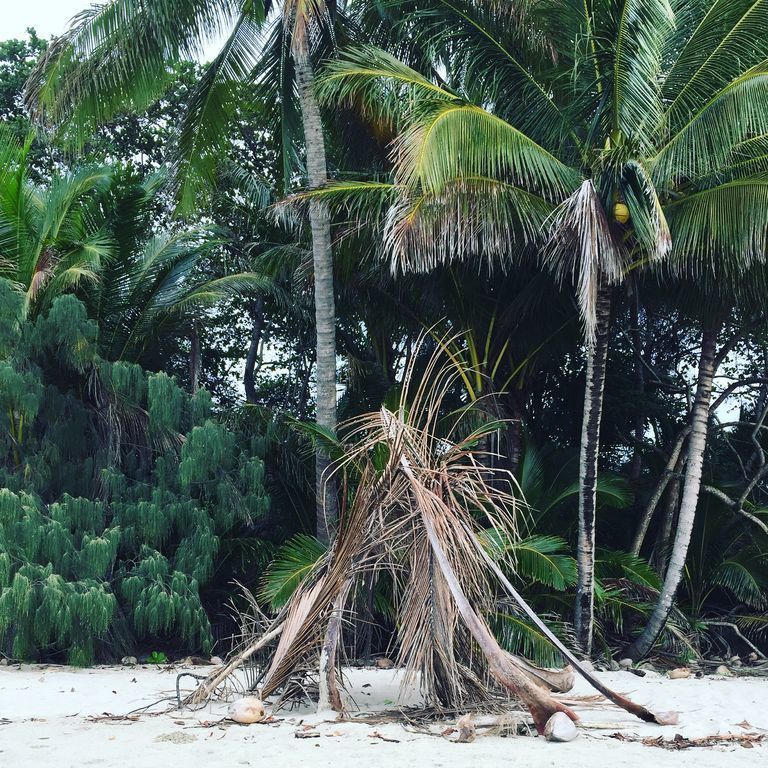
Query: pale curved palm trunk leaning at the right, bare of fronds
x,y
691,489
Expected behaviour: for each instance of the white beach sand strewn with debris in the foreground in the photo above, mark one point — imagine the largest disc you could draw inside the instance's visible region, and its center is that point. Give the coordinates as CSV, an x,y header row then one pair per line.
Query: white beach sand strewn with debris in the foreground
x,y
45,710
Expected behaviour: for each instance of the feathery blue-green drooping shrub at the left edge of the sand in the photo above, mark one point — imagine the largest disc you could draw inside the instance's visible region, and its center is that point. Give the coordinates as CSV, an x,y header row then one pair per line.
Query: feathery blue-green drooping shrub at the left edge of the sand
x,y
119,489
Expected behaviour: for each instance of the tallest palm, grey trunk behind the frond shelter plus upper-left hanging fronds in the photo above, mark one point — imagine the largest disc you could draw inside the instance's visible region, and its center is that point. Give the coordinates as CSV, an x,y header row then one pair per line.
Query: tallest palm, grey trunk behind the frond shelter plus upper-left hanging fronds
x,y
116,55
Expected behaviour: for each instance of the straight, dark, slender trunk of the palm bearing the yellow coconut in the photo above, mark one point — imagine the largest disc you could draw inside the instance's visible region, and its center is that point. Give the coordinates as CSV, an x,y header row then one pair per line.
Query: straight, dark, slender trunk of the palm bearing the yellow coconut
x,y
590,448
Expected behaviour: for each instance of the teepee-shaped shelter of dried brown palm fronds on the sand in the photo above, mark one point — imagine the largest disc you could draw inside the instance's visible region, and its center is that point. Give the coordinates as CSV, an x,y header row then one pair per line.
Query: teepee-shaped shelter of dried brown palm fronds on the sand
x,y
424,499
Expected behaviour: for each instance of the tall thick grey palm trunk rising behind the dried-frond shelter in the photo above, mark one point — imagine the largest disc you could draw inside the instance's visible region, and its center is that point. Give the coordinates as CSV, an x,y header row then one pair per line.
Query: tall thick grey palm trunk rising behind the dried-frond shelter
x,y
325,310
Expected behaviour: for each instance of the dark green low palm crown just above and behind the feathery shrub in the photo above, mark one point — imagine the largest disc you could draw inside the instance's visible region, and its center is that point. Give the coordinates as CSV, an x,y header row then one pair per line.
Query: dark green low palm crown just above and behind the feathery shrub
x,y
155,286
